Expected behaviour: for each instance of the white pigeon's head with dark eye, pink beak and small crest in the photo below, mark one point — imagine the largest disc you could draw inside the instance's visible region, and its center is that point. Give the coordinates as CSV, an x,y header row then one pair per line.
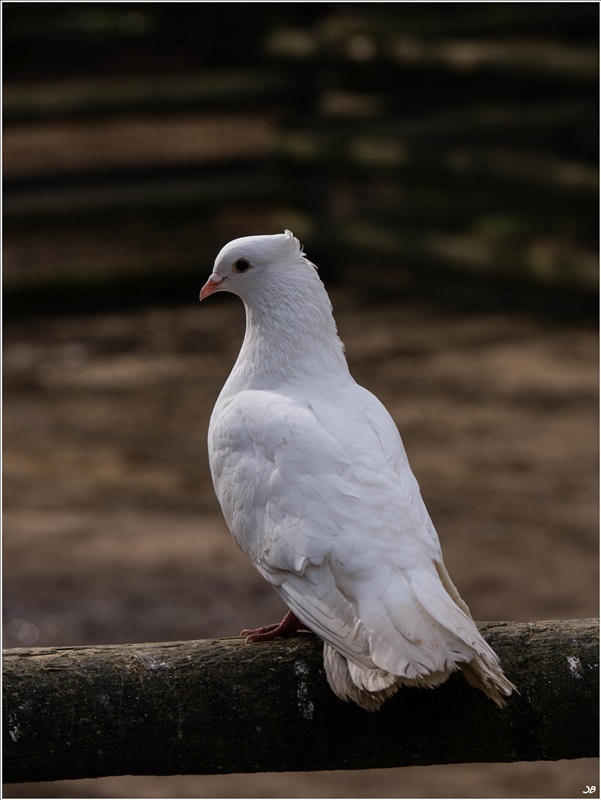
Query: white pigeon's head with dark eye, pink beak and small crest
x,y
249,265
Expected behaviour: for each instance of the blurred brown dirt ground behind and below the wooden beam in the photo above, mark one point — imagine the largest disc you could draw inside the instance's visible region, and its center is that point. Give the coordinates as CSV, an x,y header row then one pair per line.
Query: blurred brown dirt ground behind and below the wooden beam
x,y
112,532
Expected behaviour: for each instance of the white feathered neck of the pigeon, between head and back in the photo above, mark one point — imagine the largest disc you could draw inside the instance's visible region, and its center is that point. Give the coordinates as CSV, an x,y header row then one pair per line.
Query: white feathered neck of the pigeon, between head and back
x,y
288,339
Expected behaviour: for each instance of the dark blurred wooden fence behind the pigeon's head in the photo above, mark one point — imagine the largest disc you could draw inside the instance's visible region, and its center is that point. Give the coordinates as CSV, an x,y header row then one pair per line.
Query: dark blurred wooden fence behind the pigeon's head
x,y
436,144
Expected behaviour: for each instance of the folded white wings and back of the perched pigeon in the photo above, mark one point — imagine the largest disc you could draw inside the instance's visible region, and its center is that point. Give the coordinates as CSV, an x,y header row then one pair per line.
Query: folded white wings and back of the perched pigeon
x,y
322,499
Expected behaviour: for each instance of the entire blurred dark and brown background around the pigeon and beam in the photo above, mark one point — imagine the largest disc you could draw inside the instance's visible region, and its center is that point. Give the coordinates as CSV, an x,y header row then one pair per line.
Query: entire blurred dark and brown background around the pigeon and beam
x,y
440,164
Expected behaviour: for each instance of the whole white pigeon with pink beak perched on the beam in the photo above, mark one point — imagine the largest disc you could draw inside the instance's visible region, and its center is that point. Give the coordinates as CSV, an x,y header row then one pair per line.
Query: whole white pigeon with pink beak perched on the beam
x,y
315,486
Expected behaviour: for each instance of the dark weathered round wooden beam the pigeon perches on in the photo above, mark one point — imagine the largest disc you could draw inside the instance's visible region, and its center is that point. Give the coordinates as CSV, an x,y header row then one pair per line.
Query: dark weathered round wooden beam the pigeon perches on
x,y
218,706
